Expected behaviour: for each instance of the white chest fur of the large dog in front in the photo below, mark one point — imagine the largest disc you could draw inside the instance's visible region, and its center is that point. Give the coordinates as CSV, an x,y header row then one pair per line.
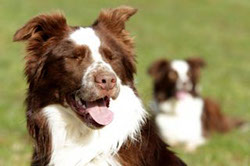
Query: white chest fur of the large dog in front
x,y
74,144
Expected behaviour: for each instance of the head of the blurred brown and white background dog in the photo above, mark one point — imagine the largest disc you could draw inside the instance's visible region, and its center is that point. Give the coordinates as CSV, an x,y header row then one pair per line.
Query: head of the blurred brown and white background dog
x,y
175,78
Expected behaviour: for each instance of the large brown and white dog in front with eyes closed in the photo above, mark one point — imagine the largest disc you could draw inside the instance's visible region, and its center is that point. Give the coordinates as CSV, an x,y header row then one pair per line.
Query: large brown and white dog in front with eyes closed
x,y
82,105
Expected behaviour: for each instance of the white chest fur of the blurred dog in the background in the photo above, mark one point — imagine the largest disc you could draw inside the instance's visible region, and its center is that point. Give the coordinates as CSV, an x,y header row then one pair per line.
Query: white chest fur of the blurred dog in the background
x,y
179,121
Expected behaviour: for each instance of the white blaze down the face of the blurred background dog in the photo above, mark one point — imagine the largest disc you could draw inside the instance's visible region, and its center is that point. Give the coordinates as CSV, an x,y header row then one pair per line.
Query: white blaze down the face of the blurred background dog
x,y
182,68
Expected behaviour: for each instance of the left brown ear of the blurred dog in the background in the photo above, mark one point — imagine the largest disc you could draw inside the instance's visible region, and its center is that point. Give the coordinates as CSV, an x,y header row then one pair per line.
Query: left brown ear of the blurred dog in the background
x,y
158,68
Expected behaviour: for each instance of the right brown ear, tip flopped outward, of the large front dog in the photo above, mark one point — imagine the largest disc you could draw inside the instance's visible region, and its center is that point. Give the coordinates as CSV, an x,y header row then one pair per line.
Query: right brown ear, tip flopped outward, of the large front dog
x,y
114,19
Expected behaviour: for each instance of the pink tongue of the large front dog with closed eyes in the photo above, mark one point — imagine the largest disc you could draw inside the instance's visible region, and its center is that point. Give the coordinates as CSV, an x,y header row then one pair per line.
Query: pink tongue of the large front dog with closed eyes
x,y
99,112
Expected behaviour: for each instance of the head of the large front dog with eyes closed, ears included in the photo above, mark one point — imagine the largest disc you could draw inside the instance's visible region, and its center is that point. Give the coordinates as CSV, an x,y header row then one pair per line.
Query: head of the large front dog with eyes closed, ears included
x,y
79,67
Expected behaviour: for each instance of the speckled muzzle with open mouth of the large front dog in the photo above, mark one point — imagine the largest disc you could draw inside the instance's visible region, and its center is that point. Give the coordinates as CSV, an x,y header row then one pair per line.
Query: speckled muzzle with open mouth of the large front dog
x,y
91,101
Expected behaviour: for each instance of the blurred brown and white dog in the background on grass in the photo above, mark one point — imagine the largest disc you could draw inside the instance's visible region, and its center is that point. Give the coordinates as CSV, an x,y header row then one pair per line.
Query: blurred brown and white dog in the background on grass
x,y
182,115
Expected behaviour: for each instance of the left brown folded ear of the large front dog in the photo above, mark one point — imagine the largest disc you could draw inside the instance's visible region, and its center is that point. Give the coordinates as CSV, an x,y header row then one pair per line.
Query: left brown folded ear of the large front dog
x,y
42,28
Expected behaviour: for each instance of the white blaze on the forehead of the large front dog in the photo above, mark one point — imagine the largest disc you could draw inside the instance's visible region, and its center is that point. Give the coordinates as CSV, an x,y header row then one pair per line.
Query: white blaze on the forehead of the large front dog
x,y
87,36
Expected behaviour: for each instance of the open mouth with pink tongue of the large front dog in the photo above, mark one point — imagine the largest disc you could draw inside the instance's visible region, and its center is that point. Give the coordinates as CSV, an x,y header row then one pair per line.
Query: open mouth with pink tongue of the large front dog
x,y
95,114
